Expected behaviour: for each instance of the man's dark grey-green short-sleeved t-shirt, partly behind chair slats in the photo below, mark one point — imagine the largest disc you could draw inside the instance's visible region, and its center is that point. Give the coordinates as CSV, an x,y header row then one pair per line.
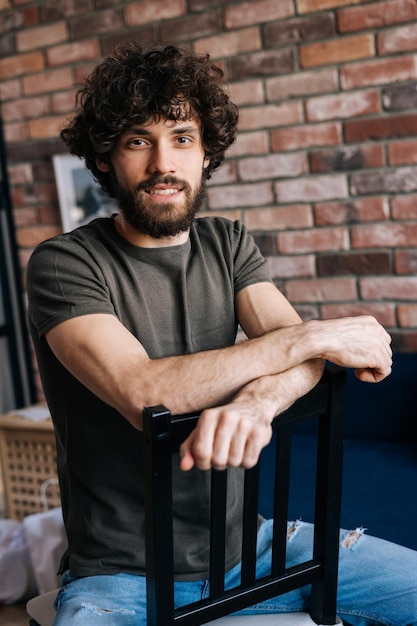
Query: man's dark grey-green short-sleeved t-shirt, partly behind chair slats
x,y
175,300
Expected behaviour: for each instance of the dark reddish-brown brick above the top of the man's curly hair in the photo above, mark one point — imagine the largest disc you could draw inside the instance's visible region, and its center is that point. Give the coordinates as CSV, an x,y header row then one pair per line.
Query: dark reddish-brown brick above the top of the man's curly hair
x,y
200,25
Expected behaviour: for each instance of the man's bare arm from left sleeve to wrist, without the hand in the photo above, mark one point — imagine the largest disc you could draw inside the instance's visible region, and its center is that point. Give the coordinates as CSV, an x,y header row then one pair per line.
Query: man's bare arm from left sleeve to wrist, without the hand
x,y
108,360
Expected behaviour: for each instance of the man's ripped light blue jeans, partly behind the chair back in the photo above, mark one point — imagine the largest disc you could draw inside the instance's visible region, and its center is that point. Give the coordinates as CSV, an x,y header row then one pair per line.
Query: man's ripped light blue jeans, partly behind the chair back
x,y
377,585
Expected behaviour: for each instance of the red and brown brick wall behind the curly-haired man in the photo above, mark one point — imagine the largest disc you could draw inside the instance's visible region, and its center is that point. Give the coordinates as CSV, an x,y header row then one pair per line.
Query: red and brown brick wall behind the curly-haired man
x,y
324,171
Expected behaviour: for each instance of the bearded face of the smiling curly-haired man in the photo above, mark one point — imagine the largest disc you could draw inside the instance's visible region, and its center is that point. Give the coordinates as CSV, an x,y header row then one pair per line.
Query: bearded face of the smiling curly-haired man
x,y
158,173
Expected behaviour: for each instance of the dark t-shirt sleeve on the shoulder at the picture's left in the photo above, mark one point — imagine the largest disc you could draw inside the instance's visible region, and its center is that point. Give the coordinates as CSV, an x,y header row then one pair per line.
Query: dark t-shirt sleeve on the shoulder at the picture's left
x,y
64,281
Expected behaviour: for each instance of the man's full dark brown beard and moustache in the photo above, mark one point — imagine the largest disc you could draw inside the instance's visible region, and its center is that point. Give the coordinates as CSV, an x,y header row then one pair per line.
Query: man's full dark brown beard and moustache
x,y
159,220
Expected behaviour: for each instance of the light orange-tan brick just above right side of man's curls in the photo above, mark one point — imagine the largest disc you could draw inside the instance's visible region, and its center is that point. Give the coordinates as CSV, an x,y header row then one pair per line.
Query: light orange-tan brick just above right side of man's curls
x,y
230,44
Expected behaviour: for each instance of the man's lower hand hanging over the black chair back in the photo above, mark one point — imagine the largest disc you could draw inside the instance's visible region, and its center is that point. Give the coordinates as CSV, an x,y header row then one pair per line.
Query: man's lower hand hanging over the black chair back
x,y
230,435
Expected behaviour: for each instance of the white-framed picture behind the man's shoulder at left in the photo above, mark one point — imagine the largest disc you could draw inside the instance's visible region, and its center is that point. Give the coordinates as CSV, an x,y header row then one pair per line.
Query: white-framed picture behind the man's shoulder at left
x,y
81,198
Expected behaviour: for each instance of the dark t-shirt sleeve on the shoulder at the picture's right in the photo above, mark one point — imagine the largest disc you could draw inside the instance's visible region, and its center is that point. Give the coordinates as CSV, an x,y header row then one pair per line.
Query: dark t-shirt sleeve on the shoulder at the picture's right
x,y
250,266
